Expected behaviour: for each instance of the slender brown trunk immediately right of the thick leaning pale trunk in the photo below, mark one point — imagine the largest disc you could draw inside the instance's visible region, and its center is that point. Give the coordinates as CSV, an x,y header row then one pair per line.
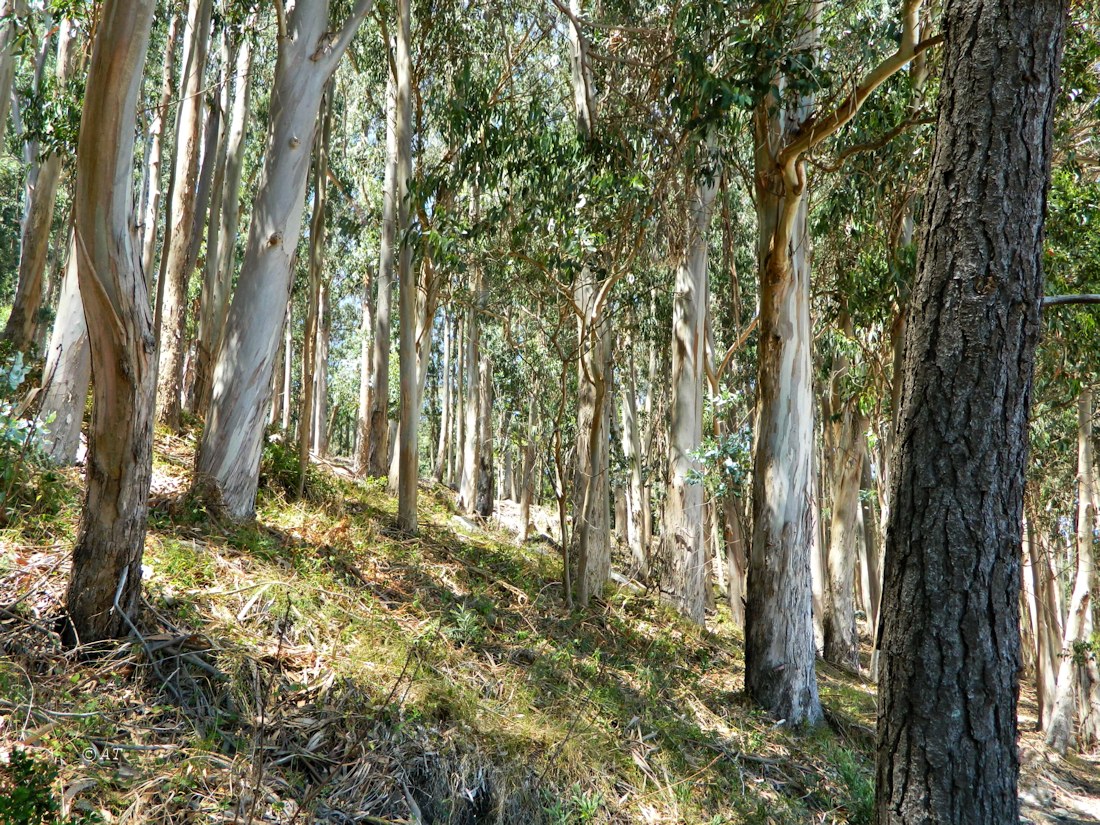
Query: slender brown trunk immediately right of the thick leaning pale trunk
x,y
311,362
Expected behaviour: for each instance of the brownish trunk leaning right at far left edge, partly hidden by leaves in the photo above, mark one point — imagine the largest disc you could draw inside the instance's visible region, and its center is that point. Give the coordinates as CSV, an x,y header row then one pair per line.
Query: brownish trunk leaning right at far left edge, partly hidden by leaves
x,y
21,329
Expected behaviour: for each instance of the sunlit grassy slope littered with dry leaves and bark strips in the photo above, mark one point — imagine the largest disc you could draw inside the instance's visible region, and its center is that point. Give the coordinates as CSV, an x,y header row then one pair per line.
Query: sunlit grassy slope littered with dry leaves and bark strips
x,y
317,667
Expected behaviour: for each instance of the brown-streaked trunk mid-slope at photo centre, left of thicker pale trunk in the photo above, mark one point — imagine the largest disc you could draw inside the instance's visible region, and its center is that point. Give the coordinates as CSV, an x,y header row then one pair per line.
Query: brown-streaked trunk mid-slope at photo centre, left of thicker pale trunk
x,y
591,483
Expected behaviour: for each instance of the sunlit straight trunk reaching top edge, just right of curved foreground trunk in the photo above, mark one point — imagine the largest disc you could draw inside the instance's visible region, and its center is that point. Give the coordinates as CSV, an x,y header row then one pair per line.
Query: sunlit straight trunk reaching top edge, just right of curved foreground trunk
x,y
179,262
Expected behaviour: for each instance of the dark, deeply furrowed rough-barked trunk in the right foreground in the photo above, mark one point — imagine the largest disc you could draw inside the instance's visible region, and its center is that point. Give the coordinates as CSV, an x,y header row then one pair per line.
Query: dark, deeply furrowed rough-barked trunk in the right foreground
x,y
950,642
